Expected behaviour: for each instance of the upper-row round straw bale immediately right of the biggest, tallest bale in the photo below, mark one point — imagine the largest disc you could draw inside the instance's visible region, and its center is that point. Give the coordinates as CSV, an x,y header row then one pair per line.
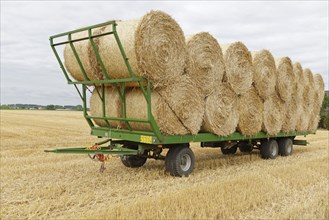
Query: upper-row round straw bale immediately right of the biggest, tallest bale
x,y
205,61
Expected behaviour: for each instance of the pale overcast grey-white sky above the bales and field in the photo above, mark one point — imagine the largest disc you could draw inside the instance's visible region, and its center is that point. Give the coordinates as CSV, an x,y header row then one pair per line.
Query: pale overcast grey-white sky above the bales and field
x,y
30,73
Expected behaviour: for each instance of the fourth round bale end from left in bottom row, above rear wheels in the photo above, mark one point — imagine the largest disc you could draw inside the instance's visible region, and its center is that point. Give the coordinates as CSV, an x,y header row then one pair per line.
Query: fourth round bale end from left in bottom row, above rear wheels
x,y
272,115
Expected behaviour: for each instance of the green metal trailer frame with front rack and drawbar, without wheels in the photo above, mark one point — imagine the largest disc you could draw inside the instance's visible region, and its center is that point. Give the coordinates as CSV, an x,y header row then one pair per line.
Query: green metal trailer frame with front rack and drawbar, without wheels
x,y
121,138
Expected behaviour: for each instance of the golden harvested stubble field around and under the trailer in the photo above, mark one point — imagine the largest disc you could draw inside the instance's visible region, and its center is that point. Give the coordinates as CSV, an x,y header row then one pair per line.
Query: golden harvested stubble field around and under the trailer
x,y
35,184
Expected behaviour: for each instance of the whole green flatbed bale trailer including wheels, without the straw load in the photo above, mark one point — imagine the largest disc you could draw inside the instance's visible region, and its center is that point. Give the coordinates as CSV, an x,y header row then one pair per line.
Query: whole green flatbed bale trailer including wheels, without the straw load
x,y
134,147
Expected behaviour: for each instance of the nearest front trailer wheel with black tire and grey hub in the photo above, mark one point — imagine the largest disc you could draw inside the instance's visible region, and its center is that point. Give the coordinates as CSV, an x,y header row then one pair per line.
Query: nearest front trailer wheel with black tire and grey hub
x,y
180,161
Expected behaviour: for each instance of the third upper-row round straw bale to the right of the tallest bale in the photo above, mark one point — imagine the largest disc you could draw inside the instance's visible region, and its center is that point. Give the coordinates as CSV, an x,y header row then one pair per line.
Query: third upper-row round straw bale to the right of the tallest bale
x,y
265,73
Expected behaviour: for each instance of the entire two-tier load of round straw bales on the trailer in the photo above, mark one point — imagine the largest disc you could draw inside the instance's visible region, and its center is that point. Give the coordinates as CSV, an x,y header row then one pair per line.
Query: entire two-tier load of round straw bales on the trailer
x,y
196,83
